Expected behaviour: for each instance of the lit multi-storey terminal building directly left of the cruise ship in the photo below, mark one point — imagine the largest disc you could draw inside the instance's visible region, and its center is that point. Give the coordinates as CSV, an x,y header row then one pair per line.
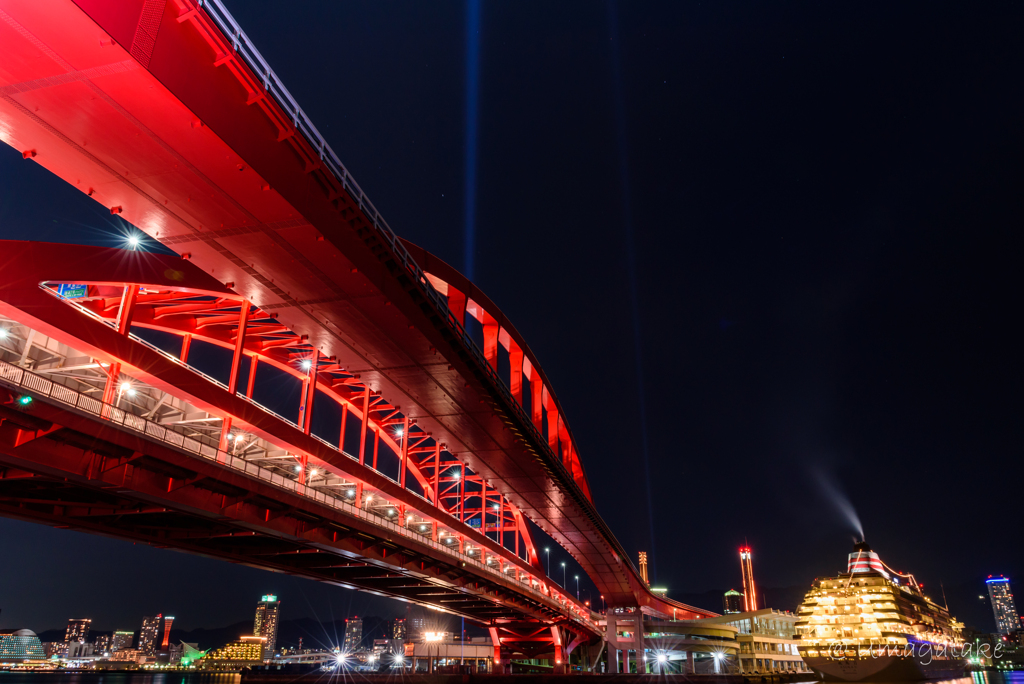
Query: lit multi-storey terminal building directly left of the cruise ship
x,y
767,639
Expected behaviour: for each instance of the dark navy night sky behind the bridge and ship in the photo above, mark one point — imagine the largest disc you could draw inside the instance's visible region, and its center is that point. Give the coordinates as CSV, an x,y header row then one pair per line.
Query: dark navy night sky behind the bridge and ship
x,y
824,209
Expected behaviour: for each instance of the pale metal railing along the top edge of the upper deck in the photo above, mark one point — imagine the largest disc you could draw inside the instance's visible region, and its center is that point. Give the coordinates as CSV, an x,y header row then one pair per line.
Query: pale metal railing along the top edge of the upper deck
x,y
275,88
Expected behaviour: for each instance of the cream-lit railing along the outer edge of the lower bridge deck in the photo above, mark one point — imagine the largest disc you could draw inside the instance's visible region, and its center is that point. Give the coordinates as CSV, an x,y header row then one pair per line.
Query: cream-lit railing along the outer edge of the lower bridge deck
x,y
38,388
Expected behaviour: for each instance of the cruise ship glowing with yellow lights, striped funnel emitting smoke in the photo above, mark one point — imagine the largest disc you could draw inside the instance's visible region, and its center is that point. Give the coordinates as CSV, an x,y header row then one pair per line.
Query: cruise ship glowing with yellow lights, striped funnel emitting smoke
x,y
875,624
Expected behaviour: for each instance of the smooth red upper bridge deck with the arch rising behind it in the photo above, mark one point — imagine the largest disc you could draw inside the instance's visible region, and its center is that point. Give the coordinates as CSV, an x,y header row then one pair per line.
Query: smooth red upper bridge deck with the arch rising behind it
x,y
148,107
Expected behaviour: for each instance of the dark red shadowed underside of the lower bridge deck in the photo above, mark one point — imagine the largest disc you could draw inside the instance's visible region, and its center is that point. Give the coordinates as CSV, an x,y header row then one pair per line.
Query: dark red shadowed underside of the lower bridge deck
x,y
64,471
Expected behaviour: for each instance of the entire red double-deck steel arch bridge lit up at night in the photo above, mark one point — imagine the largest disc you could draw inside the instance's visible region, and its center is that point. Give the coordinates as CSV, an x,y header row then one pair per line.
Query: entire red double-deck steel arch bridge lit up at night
x,y
423,431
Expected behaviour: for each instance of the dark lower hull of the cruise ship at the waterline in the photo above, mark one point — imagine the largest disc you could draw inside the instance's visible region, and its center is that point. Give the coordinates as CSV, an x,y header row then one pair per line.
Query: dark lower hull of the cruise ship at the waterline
x,y
886,669
